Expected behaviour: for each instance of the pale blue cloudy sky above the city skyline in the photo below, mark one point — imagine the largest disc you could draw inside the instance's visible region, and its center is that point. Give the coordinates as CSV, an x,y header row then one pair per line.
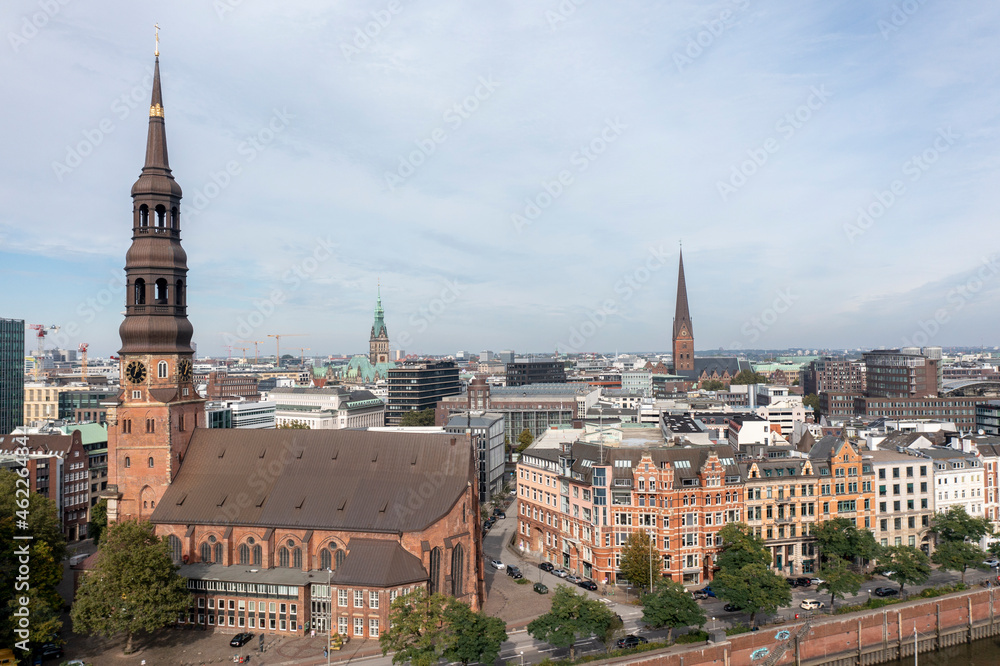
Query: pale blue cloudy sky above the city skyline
x,y
516,175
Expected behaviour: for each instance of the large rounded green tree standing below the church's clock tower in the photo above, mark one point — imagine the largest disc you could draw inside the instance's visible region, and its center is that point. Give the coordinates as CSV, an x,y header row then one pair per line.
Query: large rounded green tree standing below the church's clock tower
x,y
133,587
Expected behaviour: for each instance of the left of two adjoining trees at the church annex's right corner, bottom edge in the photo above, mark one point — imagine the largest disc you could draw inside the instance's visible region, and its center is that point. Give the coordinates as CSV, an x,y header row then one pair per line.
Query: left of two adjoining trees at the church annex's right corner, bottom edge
x,y
417,631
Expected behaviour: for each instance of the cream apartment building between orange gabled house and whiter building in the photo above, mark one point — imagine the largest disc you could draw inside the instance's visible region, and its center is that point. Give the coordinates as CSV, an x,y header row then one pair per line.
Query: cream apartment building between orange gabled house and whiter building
x,y
905,503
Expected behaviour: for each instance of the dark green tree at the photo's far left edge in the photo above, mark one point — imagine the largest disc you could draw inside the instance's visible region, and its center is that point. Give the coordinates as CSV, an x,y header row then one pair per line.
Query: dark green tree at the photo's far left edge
x,y
46,551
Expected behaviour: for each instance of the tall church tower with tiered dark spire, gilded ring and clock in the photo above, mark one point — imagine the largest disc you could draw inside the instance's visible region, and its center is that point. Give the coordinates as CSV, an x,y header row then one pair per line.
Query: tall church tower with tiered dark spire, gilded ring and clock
x,y
158,408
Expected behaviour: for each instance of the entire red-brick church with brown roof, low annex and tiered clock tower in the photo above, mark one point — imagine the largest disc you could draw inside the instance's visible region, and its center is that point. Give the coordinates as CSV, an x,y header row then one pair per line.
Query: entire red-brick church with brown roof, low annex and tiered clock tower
x,y
281,531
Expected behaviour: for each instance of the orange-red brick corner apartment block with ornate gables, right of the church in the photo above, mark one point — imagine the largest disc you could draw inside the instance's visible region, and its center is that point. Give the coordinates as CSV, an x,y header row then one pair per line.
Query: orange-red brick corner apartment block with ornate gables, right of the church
x,y
580,502
